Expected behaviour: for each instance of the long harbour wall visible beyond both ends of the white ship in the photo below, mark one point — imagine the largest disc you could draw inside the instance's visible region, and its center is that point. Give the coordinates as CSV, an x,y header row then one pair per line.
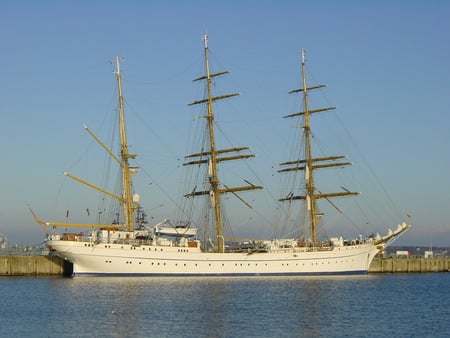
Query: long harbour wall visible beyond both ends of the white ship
x,y
55,266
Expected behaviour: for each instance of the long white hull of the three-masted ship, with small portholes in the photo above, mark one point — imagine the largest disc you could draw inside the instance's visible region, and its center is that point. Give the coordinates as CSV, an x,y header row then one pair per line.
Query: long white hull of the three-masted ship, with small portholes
x,y
125,259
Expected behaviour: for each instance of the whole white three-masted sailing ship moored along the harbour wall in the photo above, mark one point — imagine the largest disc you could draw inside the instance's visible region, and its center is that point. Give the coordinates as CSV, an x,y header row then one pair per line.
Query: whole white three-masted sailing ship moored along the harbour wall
x,y
128,246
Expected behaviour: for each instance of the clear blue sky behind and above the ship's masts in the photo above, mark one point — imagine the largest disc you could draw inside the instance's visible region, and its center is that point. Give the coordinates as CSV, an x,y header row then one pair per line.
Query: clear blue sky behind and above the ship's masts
x,y
386,66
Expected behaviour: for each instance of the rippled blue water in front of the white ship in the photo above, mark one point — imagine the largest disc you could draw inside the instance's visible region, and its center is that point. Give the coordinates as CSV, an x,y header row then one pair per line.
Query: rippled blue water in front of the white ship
x,y
388,305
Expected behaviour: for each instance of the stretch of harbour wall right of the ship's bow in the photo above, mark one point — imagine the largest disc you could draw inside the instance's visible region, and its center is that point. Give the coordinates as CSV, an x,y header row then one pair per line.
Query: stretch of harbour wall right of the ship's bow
x,y
411,264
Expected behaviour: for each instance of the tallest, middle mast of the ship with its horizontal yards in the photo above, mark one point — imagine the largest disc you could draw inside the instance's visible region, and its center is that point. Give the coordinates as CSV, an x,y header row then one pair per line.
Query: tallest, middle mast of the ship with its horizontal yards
x,y
212,156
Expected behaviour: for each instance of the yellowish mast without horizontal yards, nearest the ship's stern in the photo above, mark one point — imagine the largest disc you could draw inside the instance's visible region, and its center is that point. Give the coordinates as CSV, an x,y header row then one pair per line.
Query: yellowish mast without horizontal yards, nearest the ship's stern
x,y
128,205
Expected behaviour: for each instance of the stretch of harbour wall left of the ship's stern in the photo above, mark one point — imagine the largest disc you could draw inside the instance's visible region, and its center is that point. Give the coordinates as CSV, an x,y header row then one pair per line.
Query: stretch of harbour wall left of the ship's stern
x,y
34,266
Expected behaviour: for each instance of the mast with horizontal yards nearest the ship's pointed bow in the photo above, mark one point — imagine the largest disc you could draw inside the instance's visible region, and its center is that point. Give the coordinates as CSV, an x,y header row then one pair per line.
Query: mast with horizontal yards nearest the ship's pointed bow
x,y
310,164
